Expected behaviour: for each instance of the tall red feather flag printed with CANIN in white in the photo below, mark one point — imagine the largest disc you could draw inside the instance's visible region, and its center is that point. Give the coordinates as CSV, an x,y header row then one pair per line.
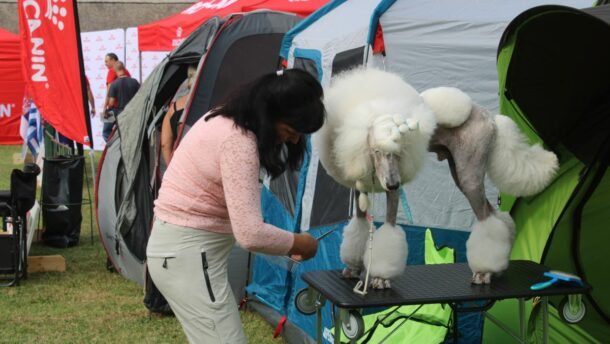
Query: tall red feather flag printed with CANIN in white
x,y
52,64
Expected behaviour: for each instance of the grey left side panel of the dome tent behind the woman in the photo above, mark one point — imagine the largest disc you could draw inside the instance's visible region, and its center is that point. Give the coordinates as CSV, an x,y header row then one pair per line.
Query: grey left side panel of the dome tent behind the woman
x,y
126,183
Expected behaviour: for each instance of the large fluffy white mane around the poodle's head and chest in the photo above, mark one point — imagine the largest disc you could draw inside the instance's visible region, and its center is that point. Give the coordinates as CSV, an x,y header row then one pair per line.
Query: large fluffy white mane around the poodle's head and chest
x,y
354,102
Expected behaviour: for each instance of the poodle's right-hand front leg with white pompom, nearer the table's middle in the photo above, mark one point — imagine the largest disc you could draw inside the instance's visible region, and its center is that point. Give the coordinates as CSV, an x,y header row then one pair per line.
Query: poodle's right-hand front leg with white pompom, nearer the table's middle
x,y
389,248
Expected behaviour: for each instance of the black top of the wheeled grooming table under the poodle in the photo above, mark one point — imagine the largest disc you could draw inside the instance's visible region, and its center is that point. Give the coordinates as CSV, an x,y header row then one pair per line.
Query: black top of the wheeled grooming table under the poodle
x,y
442,283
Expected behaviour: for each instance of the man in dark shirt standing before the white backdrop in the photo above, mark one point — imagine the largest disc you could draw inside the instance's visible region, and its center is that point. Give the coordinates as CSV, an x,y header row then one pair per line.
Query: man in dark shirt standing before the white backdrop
x,y
119,94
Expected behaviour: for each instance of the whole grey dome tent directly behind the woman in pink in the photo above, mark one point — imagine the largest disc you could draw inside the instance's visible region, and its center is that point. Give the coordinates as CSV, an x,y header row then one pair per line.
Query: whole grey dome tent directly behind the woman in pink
x,y
230,52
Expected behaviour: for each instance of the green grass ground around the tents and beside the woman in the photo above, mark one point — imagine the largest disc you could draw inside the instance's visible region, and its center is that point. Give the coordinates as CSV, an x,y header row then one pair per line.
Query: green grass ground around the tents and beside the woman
x,y
87,304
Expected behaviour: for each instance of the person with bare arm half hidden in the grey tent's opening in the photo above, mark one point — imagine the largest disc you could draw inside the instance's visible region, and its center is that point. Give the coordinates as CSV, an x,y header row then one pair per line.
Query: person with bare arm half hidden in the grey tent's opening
x,y
171,121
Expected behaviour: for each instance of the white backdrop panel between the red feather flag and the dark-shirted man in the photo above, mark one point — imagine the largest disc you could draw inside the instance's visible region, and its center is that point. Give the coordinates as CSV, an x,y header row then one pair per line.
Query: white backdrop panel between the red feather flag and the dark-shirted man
x,y
96,45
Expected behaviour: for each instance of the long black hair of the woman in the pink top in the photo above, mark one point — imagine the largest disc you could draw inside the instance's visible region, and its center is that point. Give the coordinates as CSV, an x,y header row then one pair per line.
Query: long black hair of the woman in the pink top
x,y
293,97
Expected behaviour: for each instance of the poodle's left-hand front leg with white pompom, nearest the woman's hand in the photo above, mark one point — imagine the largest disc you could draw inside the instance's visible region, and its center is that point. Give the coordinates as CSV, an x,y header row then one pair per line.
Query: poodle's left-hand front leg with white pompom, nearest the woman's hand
x,y
355,239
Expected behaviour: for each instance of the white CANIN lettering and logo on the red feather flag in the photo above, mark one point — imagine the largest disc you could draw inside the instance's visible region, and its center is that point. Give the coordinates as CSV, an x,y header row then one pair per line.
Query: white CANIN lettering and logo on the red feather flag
x,y
32,11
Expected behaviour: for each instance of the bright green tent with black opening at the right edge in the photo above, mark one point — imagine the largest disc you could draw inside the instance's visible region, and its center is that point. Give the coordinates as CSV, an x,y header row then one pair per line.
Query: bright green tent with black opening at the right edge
x,y
554,71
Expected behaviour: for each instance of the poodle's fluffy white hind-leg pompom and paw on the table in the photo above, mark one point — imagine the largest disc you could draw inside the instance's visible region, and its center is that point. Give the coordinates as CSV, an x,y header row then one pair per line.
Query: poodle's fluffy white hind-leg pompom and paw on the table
x,y
488,247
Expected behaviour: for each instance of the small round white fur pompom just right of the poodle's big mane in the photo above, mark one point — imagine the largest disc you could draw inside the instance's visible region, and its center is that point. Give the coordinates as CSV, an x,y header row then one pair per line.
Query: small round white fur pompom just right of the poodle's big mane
x,y
451,106
